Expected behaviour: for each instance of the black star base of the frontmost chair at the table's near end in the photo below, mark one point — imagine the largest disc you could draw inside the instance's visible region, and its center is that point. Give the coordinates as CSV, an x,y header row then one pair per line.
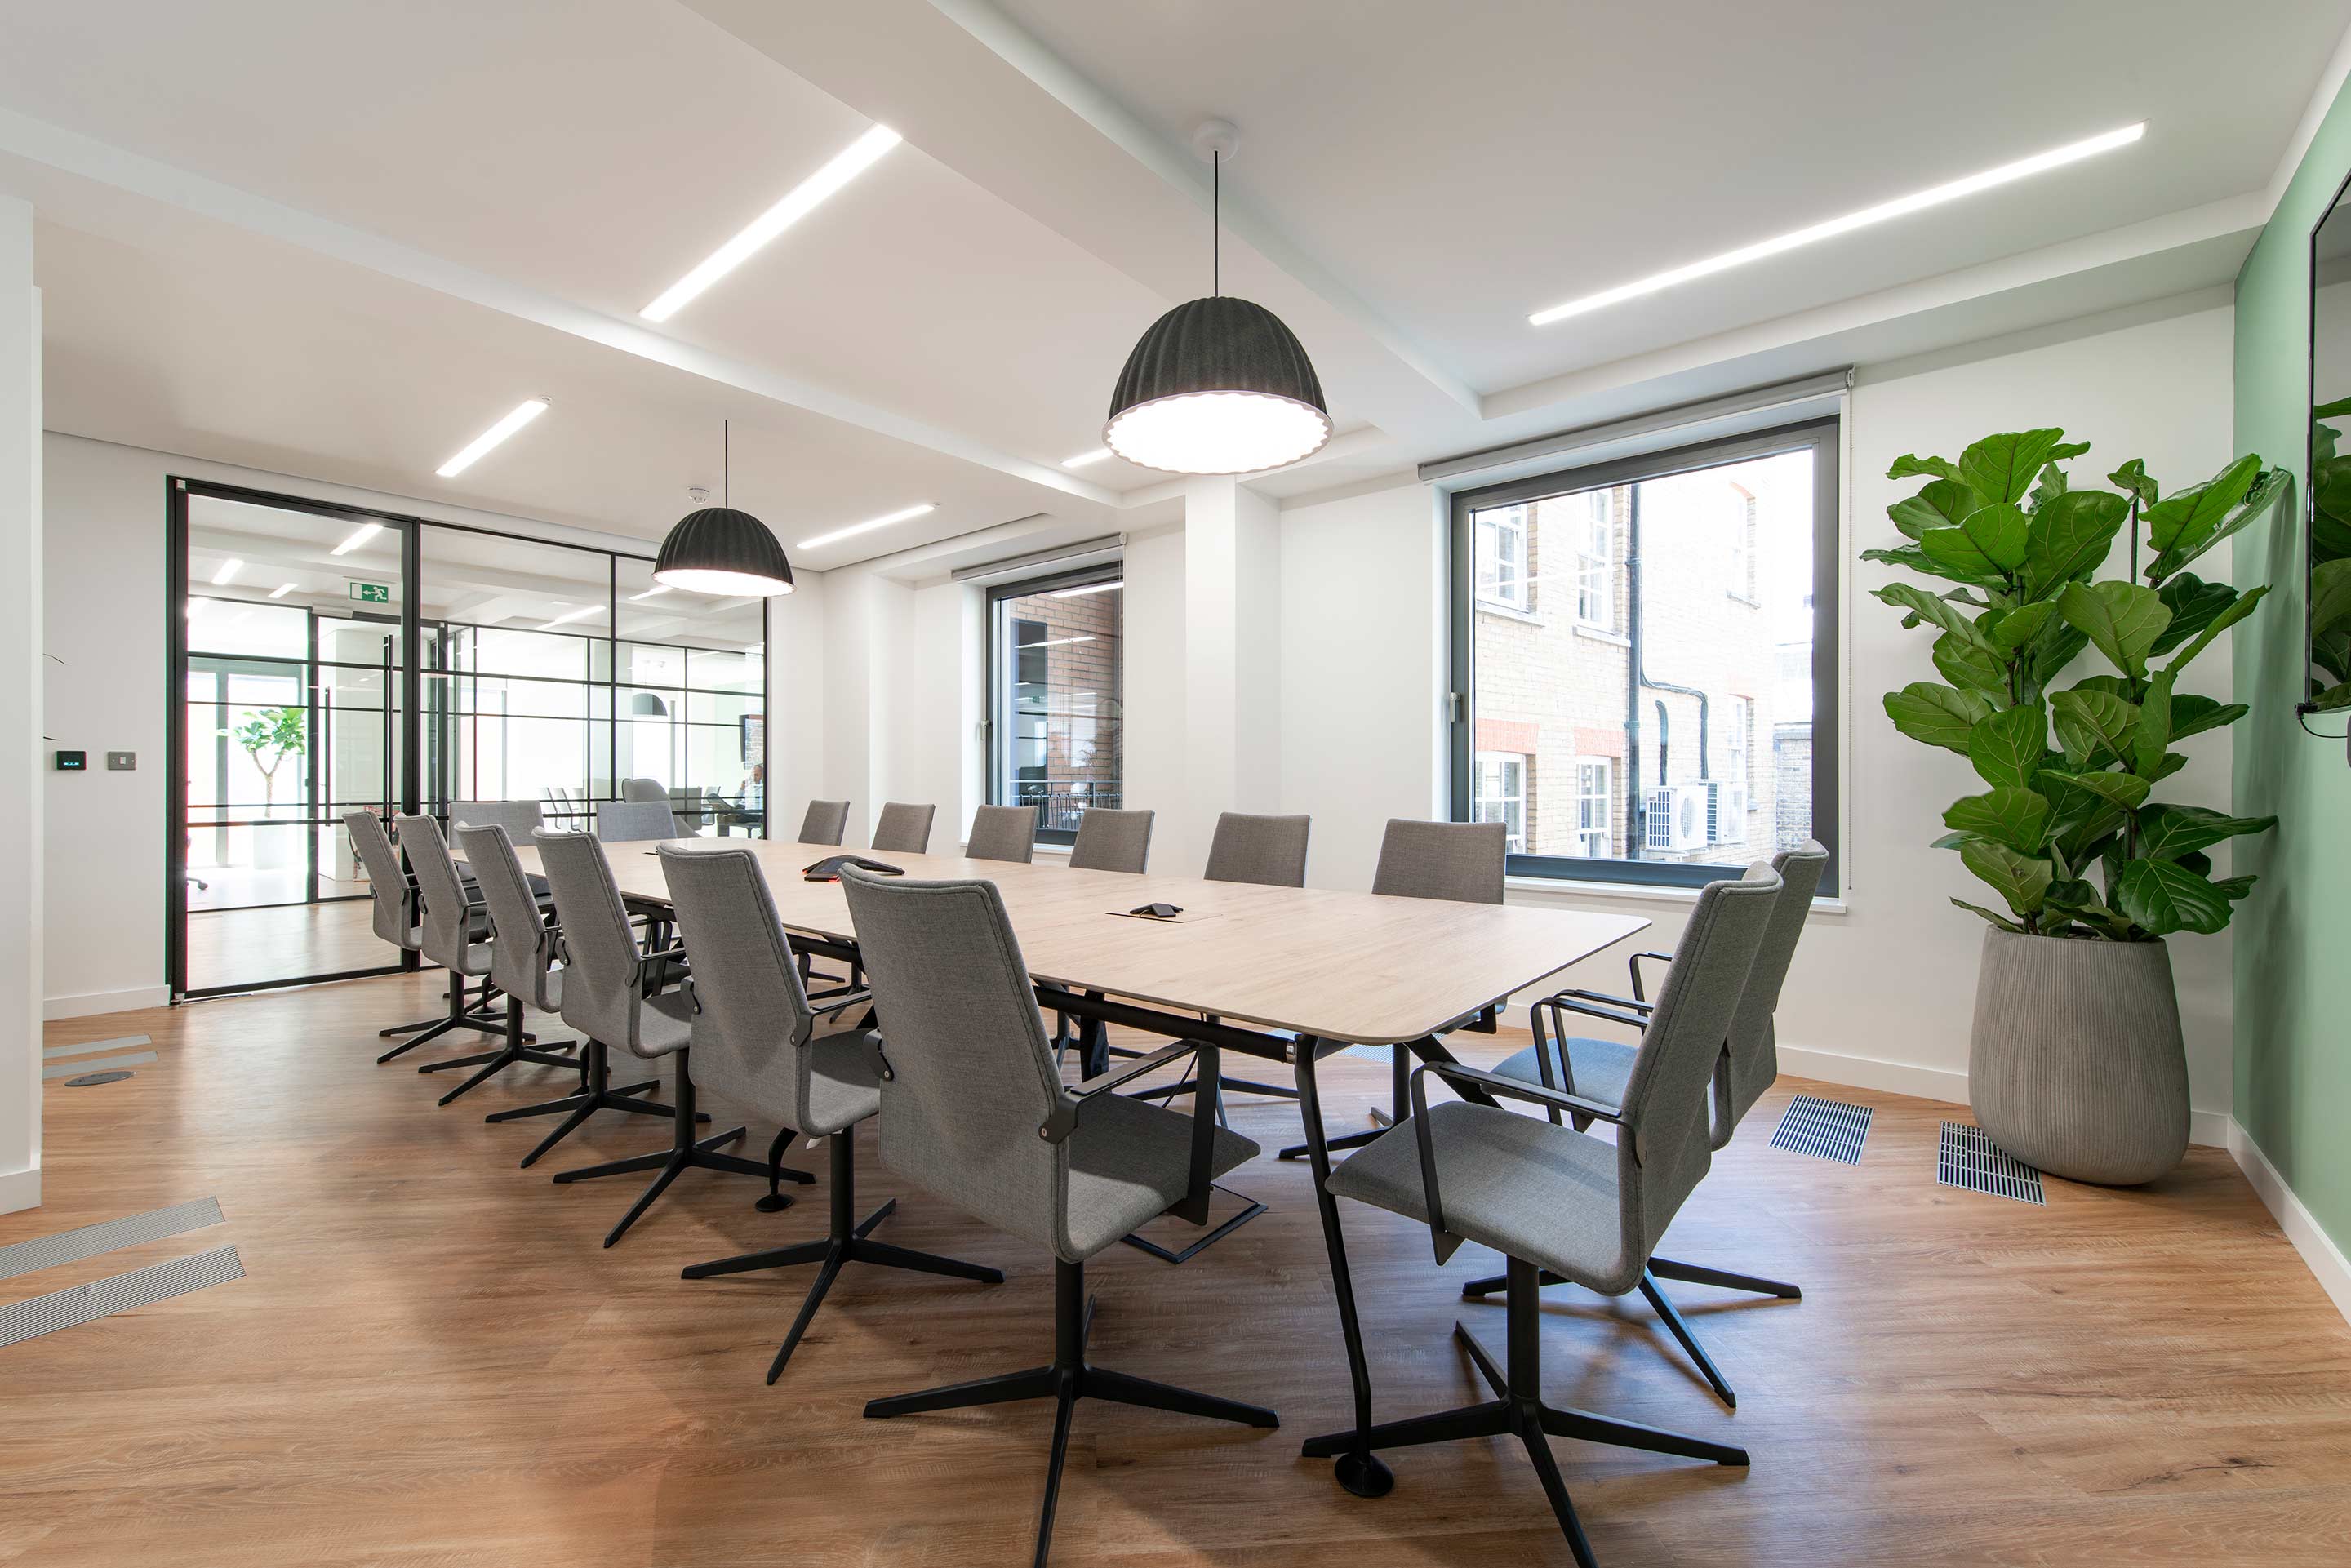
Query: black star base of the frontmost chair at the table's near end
x,y
1518,1412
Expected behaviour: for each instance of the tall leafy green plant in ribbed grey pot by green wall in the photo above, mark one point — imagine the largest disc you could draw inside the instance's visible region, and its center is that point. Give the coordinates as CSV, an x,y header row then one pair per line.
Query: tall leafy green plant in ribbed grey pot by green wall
x,y
2077,1064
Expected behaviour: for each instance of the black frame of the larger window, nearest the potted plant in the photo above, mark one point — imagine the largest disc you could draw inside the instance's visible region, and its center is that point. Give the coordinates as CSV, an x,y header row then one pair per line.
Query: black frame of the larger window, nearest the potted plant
x,y
1821,436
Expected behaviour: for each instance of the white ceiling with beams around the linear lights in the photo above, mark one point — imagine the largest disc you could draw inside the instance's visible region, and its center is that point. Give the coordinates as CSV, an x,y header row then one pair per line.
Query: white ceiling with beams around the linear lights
x,y
516,180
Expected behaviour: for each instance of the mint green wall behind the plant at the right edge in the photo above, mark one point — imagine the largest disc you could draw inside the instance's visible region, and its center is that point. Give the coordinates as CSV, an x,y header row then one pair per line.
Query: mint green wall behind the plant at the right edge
x,y
2293,934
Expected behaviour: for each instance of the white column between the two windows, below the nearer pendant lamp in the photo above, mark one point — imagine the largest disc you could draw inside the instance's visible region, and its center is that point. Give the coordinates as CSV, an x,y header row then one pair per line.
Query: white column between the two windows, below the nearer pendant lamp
x,y
1233,666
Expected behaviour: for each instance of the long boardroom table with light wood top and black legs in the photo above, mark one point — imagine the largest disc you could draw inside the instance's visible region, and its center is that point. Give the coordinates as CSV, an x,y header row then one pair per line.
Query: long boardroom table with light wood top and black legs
x,y
1271,972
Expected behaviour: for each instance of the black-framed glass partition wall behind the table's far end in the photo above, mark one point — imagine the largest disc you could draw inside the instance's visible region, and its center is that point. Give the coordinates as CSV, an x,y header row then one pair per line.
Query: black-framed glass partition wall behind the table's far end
x,y
540,671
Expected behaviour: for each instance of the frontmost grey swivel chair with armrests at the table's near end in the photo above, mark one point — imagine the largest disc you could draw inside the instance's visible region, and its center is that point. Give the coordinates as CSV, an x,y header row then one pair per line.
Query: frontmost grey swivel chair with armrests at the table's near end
x,y
1553,1198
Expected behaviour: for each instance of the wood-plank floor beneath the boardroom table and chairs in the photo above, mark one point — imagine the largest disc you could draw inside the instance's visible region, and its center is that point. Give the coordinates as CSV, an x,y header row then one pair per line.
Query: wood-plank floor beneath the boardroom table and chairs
x,y
434,1362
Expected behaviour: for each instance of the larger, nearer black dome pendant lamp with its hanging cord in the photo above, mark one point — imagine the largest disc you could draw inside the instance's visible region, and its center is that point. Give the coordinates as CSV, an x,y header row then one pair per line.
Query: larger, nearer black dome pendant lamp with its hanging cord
x,y
1219,384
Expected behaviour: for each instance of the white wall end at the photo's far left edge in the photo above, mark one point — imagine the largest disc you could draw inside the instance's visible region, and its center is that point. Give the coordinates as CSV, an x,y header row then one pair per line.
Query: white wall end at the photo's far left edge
x,y
20,713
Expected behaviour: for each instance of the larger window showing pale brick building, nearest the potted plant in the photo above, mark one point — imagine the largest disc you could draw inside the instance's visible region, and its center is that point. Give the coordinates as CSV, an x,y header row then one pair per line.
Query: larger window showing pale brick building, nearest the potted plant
x,y
1661,709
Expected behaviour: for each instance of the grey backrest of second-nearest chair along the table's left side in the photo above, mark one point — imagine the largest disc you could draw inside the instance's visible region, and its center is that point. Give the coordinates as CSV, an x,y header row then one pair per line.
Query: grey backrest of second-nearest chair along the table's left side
x,y
751,1017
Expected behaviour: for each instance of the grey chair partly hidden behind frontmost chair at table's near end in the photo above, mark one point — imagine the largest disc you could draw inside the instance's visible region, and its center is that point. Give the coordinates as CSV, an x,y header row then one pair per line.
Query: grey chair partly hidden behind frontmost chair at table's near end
x,y
1748,1068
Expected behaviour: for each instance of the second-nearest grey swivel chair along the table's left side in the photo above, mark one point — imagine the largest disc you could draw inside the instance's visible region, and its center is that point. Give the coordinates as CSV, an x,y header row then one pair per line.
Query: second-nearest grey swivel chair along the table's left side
x,y
756,1043
